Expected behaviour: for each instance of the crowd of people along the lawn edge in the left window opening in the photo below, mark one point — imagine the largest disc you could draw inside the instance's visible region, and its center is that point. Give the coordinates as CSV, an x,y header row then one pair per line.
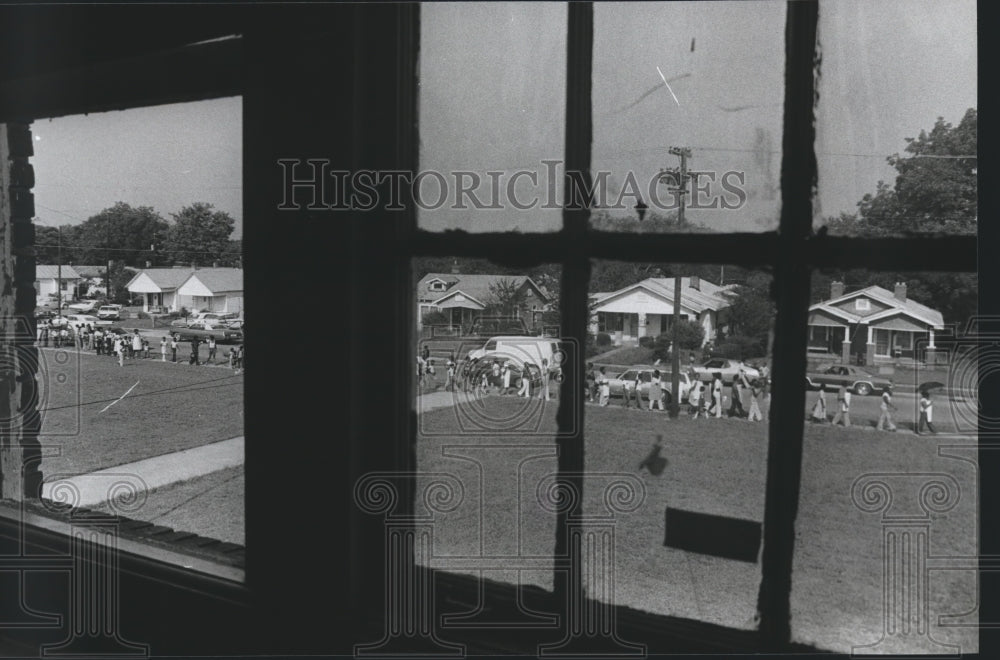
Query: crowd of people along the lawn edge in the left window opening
x,y
131,346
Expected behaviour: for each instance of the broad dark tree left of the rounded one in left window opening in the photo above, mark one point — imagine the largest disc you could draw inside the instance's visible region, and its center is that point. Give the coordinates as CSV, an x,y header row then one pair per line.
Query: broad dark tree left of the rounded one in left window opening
x,y
121,233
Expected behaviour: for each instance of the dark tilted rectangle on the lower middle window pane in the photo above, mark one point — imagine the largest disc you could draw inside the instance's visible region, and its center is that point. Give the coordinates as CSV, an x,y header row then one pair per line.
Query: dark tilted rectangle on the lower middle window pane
x,y
707,534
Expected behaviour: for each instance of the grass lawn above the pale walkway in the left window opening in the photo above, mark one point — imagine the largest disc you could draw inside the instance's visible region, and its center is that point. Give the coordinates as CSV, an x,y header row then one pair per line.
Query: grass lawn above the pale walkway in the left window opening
x,y
173,407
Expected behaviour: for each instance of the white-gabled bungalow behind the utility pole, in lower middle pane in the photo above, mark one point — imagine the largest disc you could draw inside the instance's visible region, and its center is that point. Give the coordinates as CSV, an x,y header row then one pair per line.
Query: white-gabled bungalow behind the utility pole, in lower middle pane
x,y
646,309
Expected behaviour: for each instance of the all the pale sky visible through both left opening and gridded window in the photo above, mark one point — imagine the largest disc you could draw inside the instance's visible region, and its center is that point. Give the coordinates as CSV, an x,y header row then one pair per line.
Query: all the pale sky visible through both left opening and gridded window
x,y
492,97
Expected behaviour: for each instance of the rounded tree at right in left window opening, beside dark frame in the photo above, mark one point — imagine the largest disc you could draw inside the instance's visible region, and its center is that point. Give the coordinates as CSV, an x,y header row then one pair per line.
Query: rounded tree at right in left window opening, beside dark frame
x,y
199,235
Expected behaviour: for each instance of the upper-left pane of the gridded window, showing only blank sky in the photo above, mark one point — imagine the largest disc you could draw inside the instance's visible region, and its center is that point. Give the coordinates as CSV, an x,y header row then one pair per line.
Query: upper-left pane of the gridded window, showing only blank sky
x,y
492,114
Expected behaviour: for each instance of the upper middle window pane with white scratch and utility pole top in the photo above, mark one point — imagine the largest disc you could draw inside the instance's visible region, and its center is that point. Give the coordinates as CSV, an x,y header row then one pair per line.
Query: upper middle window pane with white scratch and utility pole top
x,y
702,76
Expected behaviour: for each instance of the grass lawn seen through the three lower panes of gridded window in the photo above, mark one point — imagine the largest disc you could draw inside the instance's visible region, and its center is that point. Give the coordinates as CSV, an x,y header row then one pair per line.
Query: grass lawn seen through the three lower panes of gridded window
x,y
717,467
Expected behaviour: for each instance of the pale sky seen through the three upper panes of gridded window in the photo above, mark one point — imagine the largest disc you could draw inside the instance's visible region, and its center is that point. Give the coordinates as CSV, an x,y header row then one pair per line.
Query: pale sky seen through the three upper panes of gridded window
x,y
492,97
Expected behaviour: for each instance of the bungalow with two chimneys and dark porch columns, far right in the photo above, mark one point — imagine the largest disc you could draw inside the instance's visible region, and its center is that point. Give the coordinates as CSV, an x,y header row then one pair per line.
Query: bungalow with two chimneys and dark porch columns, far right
x,y
872,323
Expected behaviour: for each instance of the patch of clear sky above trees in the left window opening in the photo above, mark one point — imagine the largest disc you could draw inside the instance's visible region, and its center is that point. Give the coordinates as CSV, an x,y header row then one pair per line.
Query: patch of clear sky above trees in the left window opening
x,y
167,157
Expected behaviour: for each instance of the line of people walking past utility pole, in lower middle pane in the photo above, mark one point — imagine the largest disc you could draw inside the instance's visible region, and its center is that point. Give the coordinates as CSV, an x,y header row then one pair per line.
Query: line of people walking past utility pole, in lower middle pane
x,y
704,399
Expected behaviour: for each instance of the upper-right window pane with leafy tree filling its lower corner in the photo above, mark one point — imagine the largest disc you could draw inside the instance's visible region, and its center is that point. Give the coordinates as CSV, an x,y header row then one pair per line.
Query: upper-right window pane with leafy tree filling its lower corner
x,y
896,122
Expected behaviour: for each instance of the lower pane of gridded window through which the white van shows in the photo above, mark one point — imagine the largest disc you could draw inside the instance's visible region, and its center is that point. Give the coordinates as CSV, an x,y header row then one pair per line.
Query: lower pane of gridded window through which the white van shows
x,y
487,384
